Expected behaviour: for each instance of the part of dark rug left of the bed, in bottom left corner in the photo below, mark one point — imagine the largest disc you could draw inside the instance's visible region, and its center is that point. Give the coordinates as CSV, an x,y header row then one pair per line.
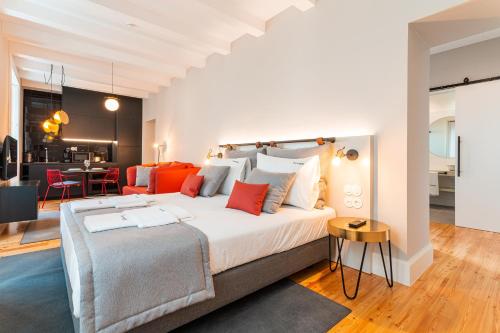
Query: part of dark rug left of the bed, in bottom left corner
x,y
33,295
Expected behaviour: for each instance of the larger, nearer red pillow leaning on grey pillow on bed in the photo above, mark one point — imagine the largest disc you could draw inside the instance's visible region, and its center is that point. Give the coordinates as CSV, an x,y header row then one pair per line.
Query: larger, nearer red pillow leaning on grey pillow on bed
x,y
248,197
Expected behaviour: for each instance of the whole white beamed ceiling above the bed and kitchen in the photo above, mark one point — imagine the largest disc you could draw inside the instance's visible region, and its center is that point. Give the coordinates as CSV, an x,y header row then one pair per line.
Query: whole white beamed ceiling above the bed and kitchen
x,y
149,42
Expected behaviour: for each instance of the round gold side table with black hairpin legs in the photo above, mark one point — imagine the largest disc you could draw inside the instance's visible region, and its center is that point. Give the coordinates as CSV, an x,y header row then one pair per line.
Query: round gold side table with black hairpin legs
x,y
372,232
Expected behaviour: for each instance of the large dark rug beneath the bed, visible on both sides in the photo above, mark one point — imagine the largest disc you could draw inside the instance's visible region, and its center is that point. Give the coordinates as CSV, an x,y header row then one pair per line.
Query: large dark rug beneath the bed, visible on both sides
x,y
33,298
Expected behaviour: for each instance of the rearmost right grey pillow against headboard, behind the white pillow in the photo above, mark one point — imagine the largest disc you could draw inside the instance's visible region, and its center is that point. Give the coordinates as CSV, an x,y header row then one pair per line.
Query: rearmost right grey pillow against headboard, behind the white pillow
x,y
325,153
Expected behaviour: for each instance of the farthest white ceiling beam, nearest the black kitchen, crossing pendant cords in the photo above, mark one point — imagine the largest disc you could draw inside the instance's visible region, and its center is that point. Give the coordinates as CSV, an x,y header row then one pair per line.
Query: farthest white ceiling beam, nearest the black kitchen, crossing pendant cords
x,y
99,77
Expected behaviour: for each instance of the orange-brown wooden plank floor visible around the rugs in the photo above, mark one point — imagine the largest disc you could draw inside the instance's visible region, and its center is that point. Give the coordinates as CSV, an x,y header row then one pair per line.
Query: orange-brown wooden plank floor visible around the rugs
x,y
460,292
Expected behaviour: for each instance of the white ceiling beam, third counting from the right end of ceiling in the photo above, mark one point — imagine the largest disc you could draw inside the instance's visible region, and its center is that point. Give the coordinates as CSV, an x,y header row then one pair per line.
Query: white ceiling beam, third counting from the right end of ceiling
x,y
171,27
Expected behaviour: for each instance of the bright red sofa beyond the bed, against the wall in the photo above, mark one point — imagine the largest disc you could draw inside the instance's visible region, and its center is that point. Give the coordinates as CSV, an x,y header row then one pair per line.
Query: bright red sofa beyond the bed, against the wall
x,y
166,177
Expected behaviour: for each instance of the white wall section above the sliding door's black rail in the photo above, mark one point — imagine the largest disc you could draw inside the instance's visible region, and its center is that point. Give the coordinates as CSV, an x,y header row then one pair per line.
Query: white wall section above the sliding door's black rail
x,y
476,61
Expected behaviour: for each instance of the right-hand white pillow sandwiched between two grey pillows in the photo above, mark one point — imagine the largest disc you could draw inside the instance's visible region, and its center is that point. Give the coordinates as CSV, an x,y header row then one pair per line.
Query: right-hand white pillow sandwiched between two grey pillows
x,y
304,191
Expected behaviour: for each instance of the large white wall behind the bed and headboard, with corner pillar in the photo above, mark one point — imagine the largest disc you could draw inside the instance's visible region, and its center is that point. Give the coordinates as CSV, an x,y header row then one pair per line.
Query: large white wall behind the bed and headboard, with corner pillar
x,y
338,69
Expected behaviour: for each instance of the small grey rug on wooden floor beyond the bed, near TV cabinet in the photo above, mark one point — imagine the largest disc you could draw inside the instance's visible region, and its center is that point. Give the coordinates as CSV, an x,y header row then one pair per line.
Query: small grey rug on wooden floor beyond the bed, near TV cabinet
x,y
45,228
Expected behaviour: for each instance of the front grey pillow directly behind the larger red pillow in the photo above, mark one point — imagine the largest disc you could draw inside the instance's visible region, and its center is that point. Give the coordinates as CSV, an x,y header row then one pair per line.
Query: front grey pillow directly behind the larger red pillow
x,y
279,184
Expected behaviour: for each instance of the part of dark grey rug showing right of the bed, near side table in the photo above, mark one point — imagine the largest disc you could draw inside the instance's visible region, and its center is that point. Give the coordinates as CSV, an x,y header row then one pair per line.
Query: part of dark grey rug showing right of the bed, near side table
x,y
282,307
